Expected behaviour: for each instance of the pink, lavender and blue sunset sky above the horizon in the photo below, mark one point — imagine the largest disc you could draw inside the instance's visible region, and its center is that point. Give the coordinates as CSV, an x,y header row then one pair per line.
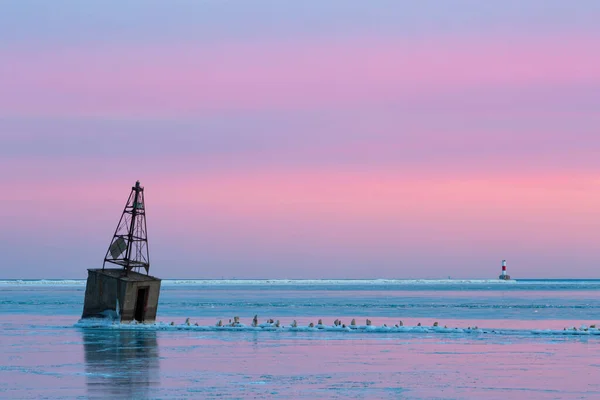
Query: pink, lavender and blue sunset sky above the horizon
x,y
305,139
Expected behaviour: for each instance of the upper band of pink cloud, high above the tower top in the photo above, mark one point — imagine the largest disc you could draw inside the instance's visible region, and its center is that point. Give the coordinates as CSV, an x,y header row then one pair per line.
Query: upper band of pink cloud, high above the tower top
x,y
190,79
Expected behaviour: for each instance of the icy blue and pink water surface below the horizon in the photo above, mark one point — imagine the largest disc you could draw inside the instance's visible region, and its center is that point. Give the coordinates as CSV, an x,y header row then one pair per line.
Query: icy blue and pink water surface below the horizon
x,y
43,355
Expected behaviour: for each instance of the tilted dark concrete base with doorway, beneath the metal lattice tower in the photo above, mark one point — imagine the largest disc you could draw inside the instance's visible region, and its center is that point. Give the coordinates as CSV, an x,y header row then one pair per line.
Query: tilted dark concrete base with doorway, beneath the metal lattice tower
x,y
137,295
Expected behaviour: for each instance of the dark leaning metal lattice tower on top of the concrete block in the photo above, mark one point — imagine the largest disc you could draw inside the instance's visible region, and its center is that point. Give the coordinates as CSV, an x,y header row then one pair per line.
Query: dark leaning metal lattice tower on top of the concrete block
x,y
129,245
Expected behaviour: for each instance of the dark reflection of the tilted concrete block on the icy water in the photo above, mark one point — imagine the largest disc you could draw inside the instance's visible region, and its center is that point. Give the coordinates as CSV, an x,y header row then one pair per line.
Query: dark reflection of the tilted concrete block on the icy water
x,y
120,363
